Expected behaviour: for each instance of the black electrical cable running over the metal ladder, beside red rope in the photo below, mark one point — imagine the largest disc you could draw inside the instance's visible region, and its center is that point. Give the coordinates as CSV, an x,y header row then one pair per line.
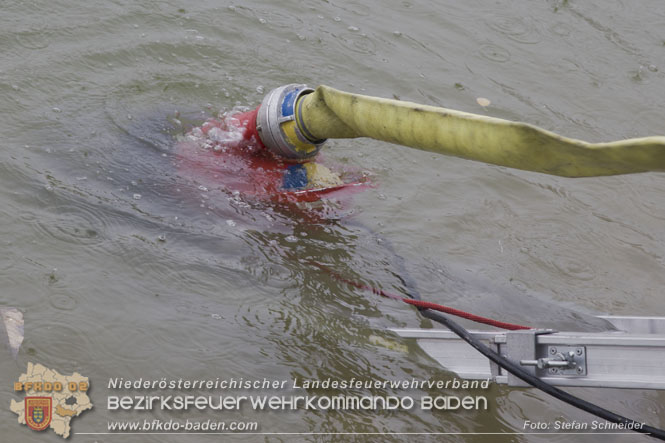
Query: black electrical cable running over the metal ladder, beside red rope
x,y
534,381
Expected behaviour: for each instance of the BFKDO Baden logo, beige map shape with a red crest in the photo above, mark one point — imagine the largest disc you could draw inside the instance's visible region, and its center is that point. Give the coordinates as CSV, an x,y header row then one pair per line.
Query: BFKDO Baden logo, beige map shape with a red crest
x,y
52,400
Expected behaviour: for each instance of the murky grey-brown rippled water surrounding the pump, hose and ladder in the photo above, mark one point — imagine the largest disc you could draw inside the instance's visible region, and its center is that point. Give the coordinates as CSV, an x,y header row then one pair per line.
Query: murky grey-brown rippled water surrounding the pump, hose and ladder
x,y
124,267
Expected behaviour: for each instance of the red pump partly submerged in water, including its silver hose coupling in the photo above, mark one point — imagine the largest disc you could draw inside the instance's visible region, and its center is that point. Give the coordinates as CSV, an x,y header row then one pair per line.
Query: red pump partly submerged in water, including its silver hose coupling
x,y
290,174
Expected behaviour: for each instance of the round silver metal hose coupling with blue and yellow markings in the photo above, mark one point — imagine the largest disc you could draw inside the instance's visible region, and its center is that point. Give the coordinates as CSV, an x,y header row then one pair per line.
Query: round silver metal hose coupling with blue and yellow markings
x,y
281,129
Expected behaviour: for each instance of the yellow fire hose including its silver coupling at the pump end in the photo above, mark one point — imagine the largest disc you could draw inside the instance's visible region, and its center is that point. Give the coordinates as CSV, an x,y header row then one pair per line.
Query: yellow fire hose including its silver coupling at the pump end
x,y
316,115
